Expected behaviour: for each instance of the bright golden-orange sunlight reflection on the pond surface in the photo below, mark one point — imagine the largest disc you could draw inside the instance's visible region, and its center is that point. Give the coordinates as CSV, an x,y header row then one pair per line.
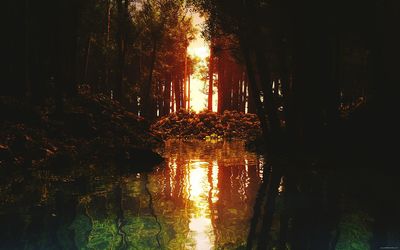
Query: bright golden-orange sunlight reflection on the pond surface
x,y
211,189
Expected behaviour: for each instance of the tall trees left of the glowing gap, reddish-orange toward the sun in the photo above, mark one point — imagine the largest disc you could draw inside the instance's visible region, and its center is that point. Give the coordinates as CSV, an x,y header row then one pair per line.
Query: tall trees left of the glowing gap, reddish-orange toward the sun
x,y
130,50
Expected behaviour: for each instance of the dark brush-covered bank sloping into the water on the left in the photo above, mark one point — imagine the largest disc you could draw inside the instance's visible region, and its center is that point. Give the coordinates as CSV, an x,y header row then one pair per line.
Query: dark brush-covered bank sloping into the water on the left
x,y
92,131
